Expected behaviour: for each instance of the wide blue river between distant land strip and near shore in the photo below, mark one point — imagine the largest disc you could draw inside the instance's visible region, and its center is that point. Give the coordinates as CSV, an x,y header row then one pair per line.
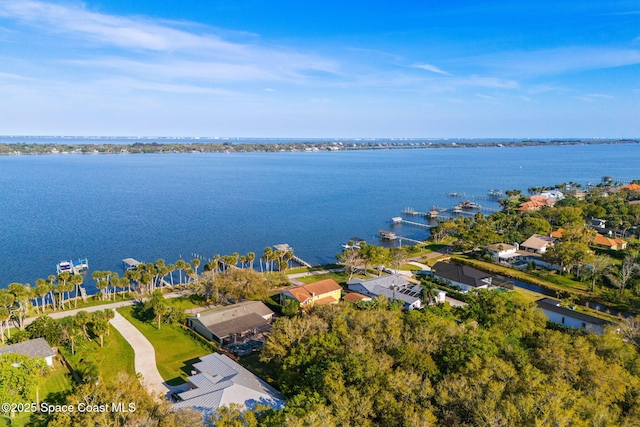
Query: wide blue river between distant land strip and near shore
x,y
110,207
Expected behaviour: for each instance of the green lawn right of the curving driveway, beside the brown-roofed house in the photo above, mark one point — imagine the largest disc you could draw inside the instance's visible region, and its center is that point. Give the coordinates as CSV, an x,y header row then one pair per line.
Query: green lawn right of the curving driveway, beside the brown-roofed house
x,y
176,350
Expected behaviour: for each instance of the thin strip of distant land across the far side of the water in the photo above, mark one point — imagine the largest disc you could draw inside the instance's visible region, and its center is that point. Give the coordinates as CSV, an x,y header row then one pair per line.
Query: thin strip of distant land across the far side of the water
x,y
52,148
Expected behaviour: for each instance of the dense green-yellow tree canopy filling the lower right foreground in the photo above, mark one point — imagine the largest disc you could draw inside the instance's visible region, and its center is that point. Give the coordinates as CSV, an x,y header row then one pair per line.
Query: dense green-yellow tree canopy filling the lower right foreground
x,y
491,363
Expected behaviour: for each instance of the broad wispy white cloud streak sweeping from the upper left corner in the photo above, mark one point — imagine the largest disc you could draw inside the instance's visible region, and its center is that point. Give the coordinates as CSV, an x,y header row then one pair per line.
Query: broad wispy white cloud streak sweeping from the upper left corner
x,y
159,44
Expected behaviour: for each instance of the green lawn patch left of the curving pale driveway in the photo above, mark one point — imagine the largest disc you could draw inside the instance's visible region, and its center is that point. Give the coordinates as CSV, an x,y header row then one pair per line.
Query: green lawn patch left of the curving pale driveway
x,y
90,359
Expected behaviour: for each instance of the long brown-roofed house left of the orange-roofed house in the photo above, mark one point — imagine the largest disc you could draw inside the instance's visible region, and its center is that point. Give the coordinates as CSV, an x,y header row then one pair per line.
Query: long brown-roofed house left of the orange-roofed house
x,y
229,324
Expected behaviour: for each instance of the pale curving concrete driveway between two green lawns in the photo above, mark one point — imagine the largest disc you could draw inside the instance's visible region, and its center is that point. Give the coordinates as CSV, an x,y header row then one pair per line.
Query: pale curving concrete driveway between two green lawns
x,y
145,356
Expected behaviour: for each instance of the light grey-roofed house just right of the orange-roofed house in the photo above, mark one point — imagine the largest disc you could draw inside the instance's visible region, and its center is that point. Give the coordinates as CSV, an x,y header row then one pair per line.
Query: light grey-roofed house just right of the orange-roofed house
x,y
394,287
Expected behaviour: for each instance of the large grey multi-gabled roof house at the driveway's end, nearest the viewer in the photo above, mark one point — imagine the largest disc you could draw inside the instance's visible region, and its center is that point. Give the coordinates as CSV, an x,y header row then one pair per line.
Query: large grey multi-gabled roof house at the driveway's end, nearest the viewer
x,y
218,381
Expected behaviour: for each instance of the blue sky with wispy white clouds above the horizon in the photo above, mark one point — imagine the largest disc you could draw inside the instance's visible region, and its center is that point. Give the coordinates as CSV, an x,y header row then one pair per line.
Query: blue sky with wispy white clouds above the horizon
x,y
259,68
